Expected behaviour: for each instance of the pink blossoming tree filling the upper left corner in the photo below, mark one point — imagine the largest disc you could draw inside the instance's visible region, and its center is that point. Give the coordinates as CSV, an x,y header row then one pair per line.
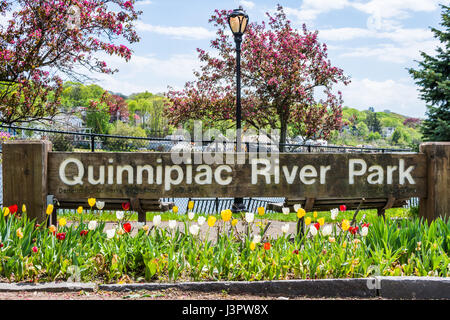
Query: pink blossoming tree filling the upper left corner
x,y
44,38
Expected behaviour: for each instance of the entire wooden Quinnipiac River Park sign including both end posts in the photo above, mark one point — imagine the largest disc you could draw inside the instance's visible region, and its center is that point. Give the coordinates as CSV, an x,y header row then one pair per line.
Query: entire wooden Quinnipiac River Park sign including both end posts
x,y
32,173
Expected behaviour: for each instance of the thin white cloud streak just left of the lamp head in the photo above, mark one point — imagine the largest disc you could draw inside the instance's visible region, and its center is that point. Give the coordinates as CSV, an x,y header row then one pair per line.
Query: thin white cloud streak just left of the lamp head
x,y
192,33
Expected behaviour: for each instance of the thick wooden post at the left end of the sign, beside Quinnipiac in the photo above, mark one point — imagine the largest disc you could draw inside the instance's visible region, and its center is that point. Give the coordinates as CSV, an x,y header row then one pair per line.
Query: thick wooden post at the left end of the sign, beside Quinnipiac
x,y
25,176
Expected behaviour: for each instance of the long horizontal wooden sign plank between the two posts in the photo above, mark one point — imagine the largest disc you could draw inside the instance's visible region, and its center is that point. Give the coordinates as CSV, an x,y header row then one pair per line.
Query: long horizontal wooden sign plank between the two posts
x,y
332,180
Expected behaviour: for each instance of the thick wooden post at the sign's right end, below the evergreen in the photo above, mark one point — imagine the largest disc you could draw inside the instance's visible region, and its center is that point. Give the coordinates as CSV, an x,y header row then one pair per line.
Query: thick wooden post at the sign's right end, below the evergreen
x,y
437,202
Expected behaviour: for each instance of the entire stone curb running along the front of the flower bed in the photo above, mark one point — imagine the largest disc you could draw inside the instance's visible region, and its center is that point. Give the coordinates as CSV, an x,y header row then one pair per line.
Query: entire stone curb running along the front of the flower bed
x,y
384,287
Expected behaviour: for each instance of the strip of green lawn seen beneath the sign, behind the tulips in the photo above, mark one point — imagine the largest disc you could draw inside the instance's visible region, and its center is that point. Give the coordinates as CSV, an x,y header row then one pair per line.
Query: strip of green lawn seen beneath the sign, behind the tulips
x,y
395,213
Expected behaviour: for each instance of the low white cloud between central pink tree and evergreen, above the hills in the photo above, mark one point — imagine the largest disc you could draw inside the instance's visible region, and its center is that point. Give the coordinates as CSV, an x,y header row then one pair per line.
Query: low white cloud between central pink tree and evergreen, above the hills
x,y
398,96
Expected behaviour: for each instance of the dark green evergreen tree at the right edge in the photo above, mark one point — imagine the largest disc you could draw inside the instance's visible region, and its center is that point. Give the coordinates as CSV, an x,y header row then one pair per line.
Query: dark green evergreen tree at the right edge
x,y
433,76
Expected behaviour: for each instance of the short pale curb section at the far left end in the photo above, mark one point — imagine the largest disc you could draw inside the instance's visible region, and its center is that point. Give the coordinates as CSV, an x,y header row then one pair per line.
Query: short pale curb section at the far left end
x,y
48,287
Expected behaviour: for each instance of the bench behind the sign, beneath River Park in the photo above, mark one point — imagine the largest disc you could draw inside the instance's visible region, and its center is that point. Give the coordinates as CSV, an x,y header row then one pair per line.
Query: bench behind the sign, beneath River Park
x,y
323,204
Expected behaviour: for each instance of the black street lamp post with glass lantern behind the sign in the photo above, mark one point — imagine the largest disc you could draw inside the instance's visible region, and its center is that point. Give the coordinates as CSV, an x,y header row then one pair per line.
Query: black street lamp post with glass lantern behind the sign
x,y
238,21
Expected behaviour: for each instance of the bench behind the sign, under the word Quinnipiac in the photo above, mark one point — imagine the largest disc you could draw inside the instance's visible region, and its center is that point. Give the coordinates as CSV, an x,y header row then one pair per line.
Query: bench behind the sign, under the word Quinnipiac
x,y
141,206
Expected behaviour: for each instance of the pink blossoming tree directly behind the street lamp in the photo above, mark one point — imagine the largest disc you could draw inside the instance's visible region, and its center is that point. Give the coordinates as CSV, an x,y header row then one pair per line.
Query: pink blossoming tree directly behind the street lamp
x,y
281,69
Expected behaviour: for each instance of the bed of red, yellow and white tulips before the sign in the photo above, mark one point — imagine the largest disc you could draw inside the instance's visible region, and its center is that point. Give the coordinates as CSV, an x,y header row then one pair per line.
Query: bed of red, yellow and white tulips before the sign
x,y
88,252
